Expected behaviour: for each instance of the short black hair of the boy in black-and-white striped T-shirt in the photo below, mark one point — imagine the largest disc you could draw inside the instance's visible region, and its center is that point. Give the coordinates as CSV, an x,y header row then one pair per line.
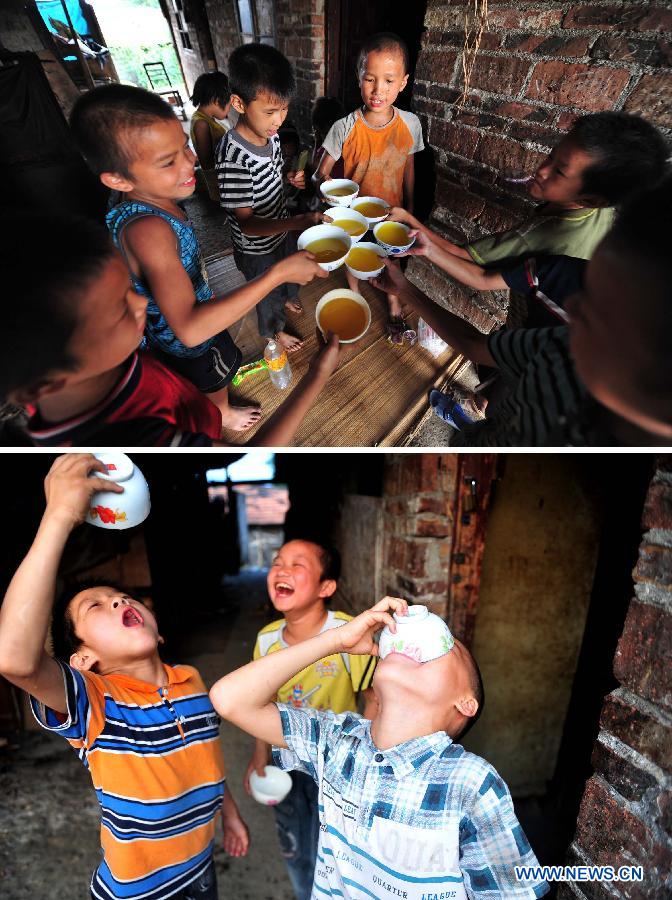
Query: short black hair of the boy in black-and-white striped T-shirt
x,y
260,68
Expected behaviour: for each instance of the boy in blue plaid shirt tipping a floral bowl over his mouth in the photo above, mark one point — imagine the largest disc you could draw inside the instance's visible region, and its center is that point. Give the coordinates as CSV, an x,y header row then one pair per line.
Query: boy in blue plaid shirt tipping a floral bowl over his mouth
x,y
404,810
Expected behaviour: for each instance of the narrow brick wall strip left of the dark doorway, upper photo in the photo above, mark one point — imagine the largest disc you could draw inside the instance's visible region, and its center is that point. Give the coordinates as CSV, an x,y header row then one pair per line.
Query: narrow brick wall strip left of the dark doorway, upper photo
x,y
300,33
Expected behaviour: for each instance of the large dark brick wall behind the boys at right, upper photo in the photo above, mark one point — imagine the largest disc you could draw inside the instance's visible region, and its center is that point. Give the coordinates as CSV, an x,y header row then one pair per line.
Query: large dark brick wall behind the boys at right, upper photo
x,y
540,65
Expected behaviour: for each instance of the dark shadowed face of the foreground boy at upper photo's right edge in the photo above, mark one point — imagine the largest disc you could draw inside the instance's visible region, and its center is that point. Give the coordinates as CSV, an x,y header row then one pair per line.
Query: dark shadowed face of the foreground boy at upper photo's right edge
x,y
612,336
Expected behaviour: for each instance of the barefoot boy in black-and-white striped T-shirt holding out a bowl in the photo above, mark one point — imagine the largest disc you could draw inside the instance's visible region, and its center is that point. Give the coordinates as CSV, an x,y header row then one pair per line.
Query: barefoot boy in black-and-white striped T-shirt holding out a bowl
x,y
249,170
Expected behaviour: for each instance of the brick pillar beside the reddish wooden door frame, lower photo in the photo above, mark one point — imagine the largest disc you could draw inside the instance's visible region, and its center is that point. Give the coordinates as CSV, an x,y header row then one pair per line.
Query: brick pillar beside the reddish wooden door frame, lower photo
x,y
419,499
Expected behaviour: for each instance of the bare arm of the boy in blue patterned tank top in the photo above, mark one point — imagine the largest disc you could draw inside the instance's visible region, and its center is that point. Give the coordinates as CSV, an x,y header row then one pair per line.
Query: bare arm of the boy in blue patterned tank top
x,y
151,243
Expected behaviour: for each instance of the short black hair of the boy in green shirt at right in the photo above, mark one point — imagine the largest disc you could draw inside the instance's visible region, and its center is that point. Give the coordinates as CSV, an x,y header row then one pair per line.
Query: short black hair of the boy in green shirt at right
x,y
630,153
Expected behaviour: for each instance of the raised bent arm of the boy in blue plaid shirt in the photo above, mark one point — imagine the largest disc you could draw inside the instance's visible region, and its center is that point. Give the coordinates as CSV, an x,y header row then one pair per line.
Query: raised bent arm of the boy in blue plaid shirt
x,y
246,697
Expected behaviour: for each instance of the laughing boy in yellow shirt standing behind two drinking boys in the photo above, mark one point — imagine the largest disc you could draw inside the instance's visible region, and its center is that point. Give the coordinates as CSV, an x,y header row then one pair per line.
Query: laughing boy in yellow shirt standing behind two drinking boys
x,y
301,582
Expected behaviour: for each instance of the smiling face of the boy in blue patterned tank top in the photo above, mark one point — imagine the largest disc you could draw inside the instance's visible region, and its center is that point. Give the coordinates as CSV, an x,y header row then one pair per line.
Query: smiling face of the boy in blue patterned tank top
x,y
162,166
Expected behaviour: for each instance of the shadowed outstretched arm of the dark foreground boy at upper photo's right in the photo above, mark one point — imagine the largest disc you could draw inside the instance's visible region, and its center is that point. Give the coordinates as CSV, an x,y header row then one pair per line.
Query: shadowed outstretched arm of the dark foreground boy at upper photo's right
x,y
462,336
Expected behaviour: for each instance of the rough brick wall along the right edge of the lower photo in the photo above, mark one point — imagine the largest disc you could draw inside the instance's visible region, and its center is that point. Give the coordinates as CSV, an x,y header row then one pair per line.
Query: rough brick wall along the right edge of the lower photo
x,y
626,810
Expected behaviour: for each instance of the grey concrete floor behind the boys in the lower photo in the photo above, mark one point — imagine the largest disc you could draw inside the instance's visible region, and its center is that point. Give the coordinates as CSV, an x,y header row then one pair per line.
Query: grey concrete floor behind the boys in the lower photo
x,y
49,820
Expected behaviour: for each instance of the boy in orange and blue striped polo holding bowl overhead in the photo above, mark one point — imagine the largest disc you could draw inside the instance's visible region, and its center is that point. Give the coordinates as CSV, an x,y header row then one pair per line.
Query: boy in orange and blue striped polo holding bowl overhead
x,y
145,730
